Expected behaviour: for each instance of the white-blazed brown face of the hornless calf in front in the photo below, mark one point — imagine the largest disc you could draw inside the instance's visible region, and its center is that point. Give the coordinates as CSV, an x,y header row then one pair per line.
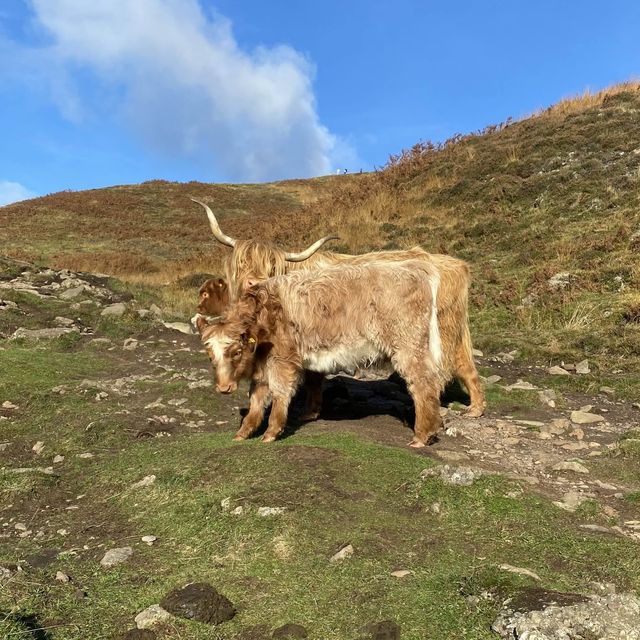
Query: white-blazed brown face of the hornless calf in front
x,y
231,350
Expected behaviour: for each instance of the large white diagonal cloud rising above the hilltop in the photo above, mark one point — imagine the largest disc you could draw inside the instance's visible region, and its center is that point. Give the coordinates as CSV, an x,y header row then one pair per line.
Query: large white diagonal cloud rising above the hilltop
x,y
180,81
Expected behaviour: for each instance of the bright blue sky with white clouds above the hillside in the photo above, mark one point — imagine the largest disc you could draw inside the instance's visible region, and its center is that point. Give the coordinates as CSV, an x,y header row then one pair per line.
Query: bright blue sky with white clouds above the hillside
x,y
121,91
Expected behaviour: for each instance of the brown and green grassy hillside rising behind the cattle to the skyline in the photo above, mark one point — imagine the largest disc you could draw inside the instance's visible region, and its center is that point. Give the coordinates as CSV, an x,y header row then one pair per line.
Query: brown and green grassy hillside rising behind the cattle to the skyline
x,y
555,193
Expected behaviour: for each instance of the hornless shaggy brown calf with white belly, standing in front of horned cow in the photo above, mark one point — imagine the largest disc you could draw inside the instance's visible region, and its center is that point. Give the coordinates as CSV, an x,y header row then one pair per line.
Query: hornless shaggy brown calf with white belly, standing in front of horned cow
x,y
326,320
